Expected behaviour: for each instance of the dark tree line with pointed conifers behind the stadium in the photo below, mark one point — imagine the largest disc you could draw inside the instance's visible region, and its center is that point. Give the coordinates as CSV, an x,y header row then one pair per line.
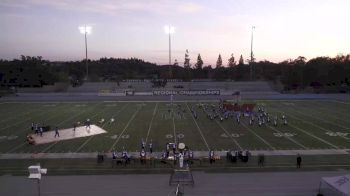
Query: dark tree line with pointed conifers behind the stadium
x,y
296,73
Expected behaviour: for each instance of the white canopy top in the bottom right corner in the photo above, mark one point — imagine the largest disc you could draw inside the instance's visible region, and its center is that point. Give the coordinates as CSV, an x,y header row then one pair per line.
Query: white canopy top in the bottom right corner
x,y
339,183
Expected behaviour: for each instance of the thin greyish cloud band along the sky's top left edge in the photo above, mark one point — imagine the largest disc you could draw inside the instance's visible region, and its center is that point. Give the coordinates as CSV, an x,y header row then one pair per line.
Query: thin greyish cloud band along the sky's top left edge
x,y
110,6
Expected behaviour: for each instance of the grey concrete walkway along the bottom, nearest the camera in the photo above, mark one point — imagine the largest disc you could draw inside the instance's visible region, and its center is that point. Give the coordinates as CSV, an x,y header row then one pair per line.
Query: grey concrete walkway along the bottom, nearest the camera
x,y
238,184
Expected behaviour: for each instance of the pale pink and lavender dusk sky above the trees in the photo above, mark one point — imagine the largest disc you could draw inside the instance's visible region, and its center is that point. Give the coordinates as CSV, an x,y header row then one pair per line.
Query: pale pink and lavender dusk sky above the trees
x,y
135,28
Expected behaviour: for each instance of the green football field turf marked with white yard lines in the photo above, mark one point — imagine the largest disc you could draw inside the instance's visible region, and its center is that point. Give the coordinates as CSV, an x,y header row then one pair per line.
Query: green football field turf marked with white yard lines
x,y
311,125
